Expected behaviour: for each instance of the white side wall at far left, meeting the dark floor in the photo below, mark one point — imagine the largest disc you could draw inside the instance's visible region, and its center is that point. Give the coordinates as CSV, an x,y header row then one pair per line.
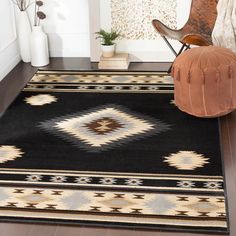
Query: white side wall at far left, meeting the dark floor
x,y
9,55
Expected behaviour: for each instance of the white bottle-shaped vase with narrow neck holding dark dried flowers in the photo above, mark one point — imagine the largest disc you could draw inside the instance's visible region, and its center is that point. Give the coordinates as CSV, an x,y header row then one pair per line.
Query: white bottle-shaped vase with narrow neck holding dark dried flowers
x,y
39,47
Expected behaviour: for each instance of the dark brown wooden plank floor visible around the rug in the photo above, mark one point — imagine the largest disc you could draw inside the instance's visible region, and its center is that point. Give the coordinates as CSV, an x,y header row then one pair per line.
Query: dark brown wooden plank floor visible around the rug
x,y
23,73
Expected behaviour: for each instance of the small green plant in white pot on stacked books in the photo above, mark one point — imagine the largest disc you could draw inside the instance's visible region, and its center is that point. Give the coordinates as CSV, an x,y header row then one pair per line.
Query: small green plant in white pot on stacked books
x,y
107,42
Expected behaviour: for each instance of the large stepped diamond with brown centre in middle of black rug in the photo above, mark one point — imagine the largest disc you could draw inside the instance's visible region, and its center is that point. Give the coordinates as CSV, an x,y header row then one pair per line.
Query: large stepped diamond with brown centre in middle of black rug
x,y
104,127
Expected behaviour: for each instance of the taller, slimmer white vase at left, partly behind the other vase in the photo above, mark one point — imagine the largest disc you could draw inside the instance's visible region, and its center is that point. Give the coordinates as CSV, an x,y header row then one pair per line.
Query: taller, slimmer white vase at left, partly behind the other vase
x,y
24,32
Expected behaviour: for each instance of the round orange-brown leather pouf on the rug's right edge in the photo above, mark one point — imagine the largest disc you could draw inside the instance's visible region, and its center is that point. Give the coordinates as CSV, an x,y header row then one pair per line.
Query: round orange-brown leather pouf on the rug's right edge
x,y
205,81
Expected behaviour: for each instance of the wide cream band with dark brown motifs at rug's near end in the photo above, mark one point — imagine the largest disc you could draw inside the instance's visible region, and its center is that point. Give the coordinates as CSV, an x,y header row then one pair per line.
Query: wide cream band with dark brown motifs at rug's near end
x,y
114,202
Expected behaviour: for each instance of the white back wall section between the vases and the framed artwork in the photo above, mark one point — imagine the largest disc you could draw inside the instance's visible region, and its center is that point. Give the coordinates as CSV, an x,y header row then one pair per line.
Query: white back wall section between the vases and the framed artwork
x,y
67,26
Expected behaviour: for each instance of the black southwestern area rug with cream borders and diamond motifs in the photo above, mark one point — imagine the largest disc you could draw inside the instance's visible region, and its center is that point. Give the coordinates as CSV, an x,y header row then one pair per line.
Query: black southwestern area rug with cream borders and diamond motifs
x,y
109,150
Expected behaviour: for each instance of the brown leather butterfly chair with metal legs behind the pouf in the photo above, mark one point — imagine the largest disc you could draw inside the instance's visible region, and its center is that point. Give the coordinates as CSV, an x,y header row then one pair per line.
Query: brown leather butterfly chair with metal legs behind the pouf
x,y
196,31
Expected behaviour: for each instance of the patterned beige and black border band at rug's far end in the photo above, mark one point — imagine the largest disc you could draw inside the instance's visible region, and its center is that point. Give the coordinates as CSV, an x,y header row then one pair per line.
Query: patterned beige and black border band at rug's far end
x,y
116,82
